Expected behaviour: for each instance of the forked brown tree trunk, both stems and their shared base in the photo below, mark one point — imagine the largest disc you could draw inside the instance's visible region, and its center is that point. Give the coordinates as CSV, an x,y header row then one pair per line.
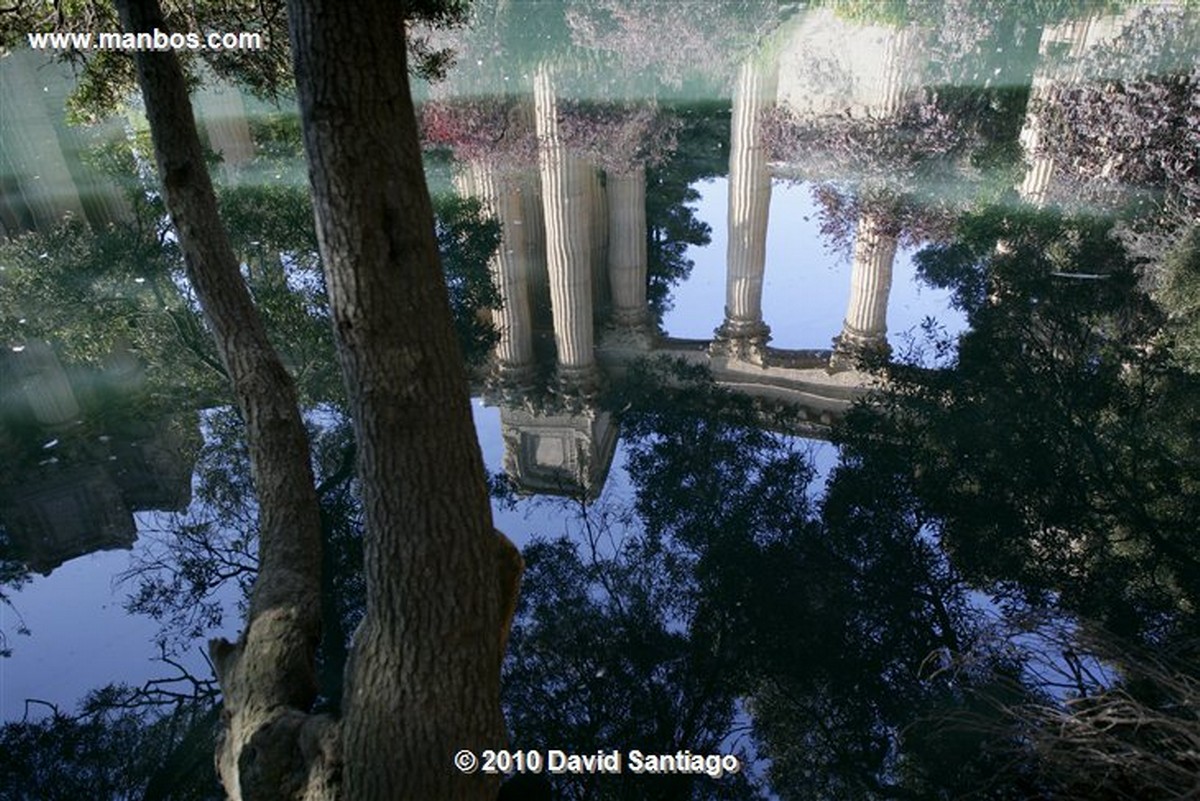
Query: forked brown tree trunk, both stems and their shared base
x,y
424,674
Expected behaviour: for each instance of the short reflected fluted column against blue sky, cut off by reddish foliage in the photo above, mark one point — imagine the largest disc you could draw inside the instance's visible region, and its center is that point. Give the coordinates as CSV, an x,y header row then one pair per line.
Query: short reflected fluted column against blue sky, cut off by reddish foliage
x,y
866,327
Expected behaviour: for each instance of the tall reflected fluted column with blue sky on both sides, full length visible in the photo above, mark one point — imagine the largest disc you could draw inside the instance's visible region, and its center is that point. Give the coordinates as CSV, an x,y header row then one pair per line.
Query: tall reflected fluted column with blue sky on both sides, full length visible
x,y
745,335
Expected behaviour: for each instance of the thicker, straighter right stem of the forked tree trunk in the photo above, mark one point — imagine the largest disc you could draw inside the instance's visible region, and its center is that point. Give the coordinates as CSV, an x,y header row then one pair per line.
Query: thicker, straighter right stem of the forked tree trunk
x,y
424,674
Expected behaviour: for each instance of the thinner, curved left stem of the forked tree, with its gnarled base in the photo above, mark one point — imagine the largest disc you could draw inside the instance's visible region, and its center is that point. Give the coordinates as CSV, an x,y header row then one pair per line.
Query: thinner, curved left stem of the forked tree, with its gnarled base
x,y
272,748
